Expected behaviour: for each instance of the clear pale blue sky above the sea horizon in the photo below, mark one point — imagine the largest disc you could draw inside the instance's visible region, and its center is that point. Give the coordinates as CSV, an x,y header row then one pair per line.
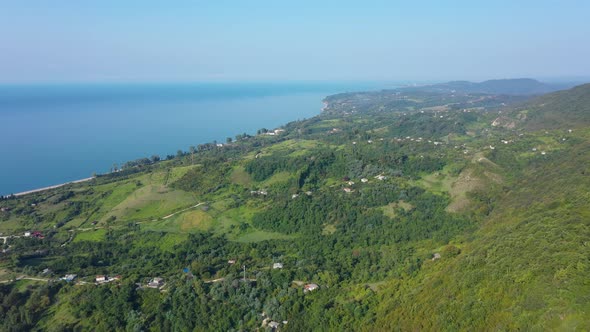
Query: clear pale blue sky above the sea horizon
x,y
221,40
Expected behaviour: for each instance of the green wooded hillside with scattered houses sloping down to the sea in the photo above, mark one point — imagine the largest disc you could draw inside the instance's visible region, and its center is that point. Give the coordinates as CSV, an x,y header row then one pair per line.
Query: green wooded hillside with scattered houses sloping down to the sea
x,y
392,210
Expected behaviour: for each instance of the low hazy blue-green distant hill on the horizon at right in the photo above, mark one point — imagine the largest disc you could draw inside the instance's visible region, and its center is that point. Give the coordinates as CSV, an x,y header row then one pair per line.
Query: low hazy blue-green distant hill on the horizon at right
x,y
519,86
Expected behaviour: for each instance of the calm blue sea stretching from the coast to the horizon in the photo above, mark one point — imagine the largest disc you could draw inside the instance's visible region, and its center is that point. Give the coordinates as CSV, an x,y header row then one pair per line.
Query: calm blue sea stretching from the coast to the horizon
x,y
52,134
